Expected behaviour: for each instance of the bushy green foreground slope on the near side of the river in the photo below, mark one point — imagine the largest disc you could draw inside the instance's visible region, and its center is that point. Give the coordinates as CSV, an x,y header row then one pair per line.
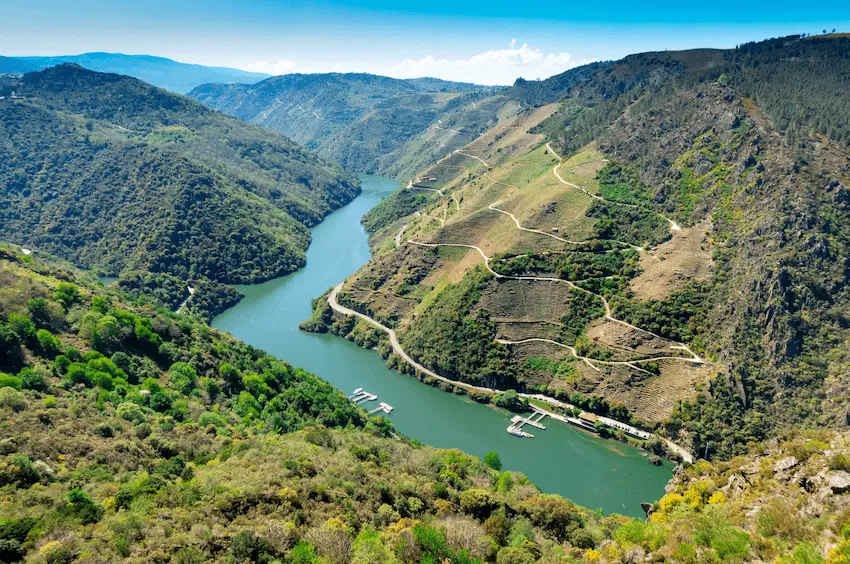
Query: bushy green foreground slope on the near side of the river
x,y
133,433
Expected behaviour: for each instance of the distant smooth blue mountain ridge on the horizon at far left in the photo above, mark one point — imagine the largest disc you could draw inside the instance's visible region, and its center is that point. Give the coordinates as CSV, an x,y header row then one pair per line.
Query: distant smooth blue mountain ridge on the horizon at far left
x,y
165,73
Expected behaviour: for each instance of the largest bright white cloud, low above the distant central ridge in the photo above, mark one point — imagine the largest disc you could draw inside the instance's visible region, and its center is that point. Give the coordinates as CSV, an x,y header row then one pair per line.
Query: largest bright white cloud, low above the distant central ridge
x,y
498,66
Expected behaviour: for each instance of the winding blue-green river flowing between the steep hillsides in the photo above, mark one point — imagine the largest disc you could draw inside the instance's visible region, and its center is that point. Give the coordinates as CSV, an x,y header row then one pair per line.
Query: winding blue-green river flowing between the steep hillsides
x,y
590,471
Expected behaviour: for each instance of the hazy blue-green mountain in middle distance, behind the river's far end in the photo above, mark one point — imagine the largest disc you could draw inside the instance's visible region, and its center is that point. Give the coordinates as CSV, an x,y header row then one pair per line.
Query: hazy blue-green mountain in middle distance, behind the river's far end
x,y
357,120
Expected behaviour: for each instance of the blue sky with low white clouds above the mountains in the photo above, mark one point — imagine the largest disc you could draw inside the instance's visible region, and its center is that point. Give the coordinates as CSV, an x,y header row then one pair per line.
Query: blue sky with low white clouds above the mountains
x,y
469,40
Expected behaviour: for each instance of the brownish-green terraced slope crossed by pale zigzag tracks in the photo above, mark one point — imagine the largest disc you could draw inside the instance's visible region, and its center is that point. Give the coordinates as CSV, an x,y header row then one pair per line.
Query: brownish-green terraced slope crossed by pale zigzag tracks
x,y
508,209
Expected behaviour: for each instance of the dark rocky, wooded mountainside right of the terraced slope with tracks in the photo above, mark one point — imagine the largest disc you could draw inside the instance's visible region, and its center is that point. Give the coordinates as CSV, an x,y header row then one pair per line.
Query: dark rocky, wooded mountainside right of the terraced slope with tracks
x,y
763,153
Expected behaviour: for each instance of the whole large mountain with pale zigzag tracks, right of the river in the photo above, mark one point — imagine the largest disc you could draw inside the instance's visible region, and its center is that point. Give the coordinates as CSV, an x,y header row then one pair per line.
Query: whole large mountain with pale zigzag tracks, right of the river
x,y
661,237
